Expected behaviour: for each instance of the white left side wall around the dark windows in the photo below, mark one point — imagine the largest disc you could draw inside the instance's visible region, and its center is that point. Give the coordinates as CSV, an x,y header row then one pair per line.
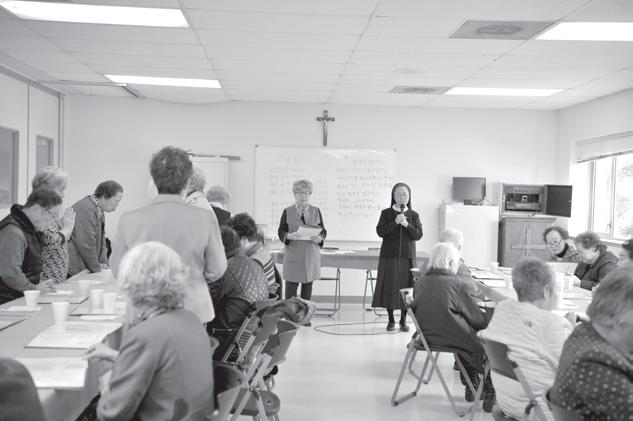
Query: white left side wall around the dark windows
x,y
32,112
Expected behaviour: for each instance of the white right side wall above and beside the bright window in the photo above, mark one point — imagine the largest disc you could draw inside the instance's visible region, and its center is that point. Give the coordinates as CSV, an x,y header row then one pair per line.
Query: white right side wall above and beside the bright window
x,y
602,117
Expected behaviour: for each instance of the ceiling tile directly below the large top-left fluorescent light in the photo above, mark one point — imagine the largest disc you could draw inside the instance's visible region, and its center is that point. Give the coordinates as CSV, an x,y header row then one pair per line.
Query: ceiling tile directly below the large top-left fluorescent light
x,y
114,32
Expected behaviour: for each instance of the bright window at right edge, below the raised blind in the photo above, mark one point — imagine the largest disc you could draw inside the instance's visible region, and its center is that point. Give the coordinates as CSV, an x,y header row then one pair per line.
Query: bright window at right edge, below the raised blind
x,y
612,200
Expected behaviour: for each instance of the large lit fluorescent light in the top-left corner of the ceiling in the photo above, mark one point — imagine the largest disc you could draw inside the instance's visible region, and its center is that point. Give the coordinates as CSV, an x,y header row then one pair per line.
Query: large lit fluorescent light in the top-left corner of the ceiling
x,y
86,13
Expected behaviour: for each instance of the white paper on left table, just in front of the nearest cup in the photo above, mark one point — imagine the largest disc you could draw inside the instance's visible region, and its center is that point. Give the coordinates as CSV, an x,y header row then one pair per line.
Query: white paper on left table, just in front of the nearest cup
x,y
76,335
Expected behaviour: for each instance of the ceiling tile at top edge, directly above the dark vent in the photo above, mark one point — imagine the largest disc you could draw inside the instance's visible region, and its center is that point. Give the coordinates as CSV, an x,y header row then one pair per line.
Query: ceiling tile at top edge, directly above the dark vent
x,y
539,10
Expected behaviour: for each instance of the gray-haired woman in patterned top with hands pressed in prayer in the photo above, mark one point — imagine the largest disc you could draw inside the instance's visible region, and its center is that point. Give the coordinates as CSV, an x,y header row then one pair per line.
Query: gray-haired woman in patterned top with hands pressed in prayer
x,y
56,237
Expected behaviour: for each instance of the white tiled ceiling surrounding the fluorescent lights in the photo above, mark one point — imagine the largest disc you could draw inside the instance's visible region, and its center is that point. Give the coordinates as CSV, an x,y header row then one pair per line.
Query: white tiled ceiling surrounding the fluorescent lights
x,y
328,52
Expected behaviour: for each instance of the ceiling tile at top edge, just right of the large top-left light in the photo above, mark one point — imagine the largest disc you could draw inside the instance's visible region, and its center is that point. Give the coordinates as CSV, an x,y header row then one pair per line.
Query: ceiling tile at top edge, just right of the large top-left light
x,y
323,7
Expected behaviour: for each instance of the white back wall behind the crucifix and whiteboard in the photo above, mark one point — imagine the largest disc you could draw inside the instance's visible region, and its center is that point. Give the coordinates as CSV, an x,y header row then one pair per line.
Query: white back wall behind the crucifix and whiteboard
x,y
113,138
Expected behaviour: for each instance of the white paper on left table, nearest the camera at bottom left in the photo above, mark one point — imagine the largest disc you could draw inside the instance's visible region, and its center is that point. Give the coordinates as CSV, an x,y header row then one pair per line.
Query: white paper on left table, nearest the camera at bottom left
x,y
56,373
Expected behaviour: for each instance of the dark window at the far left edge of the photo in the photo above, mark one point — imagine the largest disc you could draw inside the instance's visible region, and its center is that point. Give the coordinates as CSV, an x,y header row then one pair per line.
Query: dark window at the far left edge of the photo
x,y
8,167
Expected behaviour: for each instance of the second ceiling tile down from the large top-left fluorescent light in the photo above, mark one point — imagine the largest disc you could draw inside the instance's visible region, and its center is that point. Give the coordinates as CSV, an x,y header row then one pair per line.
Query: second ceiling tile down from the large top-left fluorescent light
x,y
130,48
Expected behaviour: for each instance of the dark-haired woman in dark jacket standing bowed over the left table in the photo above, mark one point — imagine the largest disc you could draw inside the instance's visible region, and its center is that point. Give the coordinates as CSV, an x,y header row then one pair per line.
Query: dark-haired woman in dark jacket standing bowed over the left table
x,y
87,248
